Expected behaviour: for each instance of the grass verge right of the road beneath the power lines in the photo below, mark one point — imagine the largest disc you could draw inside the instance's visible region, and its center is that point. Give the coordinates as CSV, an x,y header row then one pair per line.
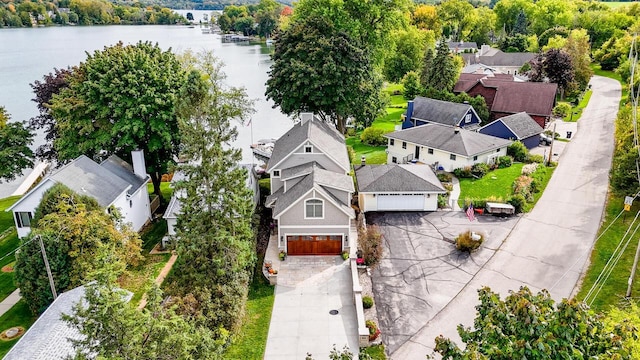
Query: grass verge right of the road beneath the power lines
x,y
613,291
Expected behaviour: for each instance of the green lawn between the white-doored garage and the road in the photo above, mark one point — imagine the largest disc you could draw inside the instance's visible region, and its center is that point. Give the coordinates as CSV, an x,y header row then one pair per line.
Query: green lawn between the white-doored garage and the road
x,y
496,183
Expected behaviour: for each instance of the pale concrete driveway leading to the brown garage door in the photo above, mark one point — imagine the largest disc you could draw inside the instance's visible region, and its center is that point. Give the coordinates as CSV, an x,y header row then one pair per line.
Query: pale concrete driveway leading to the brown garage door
x,y
308,289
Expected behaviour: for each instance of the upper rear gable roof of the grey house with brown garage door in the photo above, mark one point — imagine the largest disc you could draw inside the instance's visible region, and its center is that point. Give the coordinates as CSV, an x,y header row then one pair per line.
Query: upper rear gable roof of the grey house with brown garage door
x,y
324,135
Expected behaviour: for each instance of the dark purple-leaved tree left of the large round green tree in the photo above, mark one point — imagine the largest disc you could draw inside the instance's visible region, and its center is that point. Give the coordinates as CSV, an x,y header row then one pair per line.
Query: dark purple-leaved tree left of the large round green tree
x,y
44,91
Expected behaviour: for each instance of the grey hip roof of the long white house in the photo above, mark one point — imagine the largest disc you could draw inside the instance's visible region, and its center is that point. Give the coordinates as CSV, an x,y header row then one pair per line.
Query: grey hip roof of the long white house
x,y
445,138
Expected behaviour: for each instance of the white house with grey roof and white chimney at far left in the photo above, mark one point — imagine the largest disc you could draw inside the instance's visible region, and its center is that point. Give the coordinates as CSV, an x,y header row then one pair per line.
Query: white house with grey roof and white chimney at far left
x,y
113,183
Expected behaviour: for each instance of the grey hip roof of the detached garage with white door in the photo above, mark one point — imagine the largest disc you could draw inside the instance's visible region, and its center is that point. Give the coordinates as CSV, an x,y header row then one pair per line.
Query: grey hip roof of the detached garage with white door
x,y
396,178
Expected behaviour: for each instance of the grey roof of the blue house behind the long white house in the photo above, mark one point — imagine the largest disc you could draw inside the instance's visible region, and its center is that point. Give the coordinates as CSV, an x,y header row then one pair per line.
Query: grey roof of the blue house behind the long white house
x,y
438,111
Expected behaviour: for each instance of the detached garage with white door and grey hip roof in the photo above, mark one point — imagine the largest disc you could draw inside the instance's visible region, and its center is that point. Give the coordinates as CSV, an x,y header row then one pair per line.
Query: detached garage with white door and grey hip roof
x,y
393,187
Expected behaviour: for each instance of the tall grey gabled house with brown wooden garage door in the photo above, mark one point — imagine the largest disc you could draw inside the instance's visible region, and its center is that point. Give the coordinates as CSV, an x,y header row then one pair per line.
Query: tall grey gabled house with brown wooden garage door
x,y
311,190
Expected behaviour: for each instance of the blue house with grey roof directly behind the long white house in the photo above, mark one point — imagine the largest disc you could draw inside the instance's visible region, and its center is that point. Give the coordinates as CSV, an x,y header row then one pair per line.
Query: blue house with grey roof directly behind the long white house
x,y
423,110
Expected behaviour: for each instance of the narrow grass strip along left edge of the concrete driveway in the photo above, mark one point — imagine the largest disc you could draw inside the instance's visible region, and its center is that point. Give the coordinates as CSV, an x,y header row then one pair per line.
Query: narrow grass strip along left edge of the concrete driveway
x,y
251,341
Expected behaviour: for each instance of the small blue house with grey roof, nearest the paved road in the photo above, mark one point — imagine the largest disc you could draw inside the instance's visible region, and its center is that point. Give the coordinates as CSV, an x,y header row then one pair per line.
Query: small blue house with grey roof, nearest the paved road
x,y
518,126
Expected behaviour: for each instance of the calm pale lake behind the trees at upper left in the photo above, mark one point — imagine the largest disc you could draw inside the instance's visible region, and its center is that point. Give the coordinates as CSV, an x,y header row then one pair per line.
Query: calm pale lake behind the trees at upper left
x,y
27,55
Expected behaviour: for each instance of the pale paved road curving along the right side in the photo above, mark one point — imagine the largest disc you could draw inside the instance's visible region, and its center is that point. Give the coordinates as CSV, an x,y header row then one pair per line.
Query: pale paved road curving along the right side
x,y
549,247
